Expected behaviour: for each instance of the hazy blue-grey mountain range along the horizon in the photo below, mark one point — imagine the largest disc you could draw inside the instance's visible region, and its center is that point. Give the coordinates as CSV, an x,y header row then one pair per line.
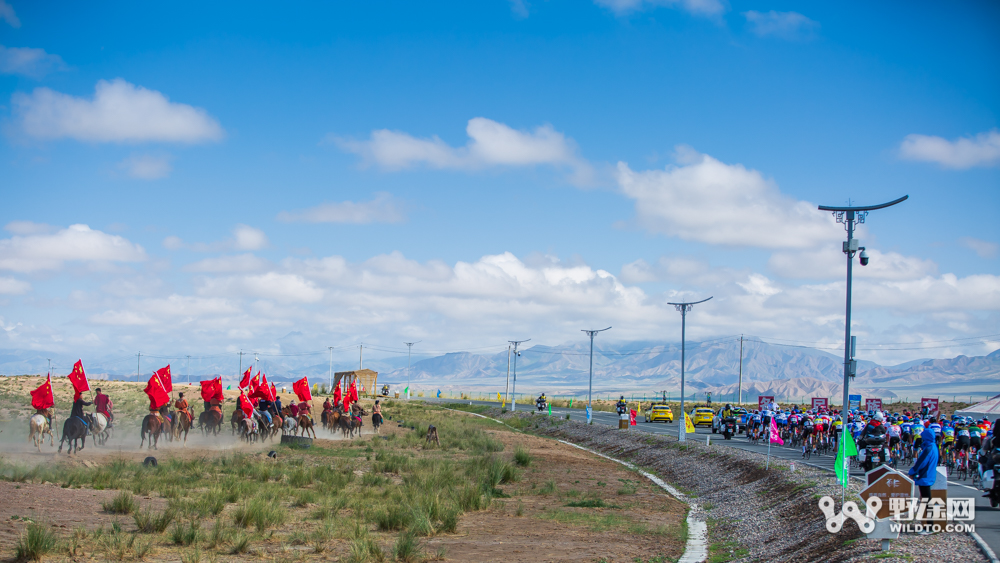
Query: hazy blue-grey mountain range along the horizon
x,y
634,367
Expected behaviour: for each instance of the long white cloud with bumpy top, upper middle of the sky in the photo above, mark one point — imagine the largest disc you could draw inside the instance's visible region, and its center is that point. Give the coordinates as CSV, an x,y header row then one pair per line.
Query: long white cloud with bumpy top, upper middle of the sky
x,y
490,144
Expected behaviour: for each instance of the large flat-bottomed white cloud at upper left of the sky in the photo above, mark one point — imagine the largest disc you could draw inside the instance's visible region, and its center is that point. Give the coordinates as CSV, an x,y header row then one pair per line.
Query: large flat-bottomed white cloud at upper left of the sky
x,y
118,112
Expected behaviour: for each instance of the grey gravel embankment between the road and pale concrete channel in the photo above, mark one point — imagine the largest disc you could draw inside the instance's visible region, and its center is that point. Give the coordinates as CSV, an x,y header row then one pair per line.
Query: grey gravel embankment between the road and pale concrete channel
x,y
772,514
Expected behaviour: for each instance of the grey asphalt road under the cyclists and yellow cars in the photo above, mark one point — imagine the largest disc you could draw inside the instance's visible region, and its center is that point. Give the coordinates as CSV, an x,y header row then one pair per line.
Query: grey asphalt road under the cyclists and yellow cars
x,y
987,519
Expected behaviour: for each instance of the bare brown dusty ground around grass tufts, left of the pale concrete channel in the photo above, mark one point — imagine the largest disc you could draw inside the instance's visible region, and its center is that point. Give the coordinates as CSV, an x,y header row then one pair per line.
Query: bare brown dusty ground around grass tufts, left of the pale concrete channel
x,y
534,523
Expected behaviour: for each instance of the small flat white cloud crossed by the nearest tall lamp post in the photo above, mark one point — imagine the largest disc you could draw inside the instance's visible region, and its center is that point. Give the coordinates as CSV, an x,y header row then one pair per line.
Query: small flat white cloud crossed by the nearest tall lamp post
x,y
829,263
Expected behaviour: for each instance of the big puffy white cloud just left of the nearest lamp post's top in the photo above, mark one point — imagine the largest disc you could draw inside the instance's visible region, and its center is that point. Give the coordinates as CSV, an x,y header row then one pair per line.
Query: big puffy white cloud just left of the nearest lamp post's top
x,y
716,203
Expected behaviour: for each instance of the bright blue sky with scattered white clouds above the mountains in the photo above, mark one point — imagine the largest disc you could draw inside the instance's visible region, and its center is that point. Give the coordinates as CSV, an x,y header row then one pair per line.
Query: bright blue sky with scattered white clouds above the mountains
x,y
469,172
